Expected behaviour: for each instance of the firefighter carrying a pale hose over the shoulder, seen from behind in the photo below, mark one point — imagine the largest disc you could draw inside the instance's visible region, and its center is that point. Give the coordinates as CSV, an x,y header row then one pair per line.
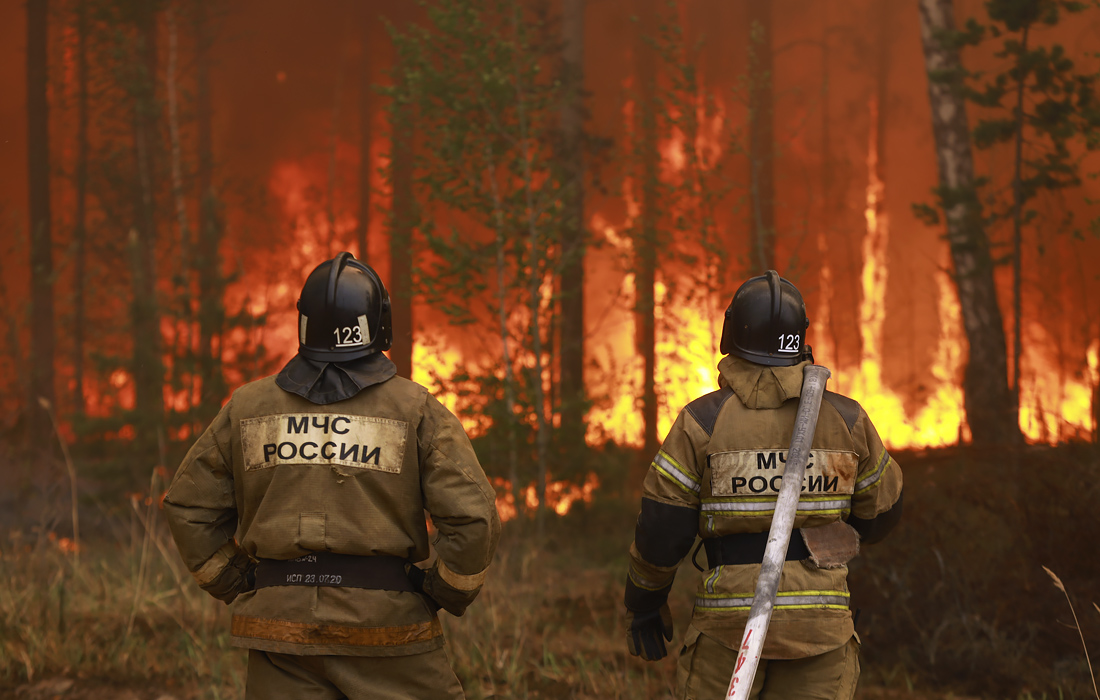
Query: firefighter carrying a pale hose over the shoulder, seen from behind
x,y
718,476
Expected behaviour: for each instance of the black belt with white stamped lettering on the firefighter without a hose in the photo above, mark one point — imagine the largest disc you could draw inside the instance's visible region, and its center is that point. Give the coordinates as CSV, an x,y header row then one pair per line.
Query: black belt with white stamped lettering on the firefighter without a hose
x,y
325,568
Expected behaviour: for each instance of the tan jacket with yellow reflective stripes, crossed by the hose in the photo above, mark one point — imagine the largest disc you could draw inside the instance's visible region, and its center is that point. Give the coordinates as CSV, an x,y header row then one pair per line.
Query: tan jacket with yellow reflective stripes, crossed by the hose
x,y
719,474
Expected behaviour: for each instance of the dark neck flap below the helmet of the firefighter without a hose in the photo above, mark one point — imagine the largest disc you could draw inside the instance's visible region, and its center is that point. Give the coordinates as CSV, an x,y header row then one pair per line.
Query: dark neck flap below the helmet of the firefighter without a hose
x,y
329,382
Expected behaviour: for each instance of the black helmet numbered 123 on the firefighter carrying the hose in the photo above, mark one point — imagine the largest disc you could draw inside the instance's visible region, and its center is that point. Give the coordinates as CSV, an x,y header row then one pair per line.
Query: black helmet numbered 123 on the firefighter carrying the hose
x,y
767,323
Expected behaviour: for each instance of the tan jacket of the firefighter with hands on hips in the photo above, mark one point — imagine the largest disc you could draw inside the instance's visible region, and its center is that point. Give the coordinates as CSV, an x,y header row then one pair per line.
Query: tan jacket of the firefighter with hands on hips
x,y
290,477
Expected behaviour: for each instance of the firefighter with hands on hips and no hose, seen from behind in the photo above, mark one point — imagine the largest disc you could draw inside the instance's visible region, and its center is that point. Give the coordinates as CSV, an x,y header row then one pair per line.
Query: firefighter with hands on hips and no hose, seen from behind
x,y
305,502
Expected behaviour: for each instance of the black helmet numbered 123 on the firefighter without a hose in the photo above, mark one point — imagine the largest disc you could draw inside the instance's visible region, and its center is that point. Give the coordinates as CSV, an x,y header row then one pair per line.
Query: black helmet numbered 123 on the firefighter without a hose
x,y
344,312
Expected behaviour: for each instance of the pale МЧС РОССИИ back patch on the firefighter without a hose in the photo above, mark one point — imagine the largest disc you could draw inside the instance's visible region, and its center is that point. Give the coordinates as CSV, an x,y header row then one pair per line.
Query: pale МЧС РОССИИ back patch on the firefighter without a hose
x,y
324,439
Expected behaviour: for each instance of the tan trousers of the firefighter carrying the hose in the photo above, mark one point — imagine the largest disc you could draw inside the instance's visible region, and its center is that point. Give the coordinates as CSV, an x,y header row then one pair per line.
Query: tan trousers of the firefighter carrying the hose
x,y
706,669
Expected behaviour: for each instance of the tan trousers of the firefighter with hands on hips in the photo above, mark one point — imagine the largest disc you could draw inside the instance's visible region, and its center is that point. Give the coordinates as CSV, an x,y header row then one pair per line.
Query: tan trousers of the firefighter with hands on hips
x,y
419,676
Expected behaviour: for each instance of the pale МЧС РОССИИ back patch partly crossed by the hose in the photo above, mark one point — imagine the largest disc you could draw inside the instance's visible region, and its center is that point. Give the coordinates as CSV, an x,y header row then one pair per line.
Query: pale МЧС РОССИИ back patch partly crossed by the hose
x,y
761,473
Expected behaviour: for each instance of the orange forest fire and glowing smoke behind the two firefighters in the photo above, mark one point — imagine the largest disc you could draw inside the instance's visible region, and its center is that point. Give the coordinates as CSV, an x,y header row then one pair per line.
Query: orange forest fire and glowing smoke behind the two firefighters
x,y
863,257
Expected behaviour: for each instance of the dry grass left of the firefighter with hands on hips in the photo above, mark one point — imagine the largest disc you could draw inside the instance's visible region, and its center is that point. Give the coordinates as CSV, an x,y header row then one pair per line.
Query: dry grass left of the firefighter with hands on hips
x,y
126,609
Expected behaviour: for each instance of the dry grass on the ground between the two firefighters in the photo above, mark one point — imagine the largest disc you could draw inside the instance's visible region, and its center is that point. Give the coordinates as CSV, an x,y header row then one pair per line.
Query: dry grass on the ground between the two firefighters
x,y
544,630
